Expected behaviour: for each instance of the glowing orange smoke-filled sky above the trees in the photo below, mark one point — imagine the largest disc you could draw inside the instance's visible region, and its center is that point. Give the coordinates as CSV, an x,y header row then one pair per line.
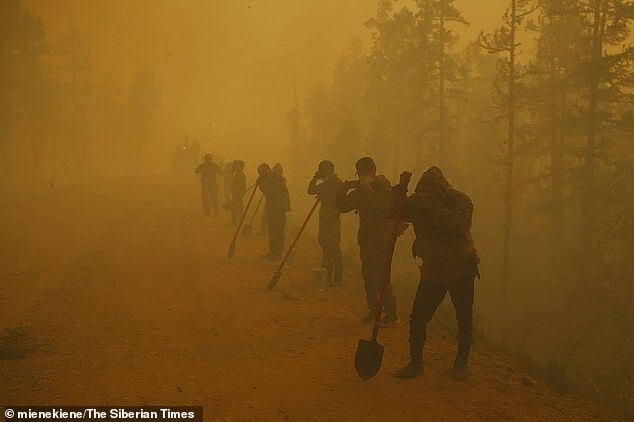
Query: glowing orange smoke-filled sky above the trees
x,y
224,66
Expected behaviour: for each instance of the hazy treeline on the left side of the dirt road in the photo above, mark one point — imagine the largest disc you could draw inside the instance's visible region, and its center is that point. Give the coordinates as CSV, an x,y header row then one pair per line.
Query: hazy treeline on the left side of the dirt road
x,y
59,122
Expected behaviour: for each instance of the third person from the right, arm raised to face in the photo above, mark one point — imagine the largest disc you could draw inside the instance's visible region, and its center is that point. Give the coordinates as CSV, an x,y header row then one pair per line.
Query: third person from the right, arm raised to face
x,y
329,233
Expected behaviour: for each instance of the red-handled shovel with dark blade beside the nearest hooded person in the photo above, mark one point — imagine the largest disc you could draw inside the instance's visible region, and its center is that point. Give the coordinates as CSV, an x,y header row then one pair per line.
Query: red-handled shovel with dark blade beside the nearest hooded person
x,y
369,355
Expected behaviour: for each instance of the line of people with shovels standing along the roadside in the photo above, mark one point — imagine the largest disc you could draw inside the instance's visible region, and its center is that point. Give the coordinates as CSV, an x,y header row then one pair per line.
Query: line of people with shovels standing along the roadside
x,y
441,220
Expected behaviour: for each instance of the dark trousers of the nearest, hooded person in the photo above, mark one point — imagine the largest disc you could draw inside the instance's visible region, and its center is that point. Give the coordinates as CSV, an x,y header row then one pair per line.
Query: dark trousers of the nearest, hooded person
x,y
428,296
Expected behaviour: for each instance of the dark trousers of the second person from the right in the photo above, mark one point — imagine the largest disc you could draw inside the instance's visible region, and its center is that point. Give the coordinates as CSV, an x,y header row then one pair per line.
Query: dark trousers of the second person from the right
x,y
373,262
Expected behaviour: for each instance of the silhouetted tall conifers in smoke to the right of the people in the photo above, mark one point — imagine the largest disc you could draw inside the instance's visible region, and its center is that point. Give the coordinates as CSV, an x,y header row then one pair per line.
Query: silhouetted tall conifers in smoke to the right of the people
x,y
536,121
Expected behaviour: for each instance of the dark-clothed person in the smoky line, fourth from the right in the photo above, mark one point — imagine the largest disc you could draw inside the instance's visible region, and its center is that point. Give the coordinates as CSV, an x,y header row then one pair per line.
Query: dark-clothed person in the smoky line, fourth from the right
x,y
272,183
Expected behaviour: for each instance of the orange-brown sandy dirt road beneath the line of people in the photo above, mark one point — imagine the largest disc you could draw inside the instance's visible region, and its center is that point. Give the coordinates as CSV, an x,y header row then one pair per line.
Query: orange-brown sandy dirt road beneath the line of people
x,y
123,295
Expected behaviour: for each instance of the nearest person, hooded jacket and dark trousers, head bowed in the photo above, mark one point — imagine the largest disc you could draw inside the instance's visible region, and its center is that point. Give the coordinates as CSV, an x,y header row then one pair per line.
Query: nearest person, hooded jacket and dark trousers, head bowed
x,y
441,216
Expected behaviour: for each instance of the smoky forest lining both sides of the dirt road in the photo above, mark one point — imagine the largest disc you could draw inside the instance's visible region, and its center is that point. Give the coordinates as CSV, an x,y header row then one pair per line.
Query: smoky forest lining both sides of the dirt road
x,y
534,119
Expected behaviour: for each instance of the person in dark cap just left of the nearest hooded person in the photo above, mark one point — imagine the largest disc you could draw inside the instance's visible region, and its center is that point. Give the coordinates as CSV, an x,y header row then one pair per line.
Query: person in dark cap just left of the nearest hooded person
x,y
370,199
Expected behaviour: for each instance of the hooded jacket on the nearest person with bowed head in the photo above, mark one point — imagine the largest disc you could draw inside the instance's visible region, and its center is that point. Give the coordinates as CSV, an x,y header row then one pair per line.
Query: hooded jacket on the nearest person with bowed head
x,y
441,216
